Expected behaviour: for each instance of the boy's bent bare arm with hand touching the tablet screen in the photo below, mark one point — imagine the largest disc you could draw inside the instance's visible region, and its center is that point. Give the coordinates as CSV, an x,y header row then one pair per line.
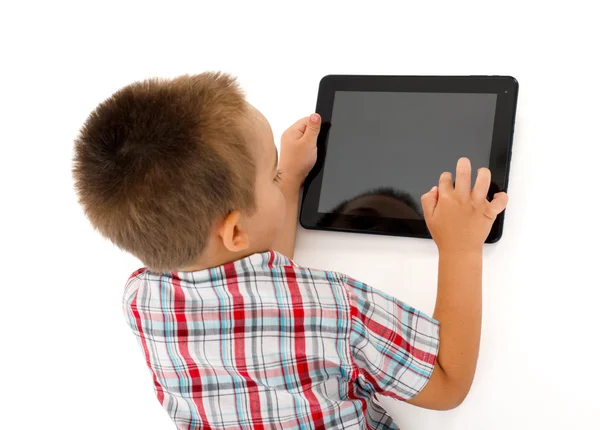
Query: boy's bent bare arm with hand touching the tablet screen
x,y
459,220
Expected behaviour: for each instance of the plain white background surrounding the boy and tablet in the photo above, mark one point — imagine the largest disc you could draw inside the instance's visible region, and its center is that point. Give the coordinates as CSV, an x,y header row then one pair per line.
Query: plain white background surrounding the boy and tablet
x,y
69,361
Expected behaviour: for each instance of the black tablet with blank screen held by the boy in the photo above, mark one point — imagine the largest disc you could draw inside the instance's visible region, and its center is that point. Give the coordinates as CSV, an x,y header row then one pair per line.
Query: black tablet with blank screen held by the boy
x,y
385,140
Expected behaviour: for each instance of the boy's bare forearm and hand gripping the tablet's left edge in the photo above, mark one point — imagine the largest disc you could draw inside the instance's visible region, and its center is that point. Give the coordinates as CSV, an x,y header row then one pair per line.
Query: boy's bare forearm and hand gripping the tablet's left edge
x,y
298,156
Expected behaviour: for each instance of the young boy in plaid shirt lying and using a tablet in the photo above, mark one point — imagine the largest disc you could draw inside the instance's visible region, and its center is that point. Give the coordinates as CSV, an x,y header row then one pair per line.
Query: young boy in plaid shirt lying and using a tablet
x,y
184,174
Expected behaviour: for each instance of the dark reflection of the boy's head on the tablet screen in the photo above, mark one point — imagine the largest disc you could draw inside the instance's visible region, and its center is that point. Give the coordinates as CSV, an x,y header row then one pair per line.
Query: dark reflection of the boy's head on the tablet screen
x,y
372,210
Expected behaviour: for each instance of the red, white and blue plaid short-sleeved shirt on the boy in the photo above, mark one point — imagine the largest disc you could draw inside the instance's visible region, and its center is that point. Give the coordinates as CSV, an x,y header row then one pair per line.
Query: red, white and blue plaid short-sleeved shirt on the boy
x,y
262,343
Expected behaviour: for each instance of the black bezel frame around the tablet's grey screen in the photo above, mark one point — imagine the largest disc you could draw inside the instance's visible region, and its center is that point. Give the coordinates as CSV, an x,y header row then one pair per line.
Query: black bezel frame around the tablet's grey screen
x,y
506,89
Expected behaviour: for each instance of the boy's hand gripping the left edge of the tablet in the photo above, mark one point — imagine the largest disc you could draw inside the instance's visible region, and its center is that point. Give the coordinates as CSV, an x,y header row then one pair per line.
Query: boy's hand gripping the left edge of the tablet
x,y
298,152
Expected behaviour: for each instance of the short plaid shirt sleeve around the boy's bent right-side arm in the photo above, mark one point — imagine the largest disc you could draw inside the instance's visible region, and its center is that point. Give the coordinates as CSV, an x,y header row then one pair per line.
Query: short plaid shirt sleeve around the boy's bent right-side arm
x,y
393,346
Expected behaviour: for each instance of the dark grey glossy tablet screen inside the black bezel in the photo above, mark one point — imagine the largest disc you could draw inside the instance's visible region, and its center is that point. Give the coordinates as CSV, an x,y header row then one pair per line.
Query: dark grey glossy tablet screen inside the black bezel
x,y
385,149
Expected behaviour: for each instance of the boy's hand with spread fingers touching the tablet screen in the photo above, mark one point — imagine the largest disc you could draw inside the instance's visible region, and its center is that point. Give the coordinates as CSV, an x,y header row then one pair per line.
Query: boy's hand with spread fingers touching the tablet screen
x,y
460,218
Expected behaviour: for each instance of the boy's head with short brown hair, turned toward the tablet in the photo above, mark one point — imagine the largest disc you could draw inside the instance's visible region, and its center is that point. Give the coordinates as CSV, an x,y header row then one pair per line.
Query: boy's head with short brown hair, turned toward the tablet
x,y
168,168
